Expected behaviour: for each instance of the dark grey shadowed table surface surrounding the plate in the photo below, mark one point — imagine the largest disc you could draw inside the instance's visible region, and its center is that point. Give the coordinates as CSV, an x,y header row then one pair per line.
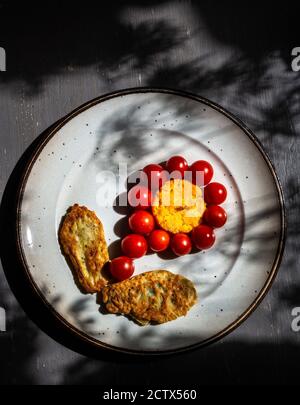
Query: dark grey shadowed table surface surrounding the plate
x,y
238,55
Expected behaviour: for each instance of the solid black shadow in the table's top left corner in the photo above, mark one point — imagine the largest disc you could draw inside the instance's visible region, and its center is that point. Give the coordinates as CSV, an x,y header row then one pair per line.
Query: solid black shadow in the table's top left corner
x,y
42,40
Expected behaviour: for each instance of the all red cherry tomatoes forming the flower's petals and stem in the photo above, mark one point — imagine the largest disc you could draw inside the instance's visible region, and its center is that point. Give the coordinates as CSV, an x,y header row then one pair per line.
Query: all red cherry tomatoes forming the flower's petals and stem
x,y
146,234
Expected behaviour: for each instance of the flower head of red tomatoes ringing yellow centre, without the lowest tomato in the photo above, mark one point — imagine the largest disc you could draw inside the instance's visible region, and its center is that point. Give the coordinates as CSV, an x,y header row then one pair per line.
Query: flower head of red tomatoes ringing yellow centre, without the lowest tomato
x,y
182,198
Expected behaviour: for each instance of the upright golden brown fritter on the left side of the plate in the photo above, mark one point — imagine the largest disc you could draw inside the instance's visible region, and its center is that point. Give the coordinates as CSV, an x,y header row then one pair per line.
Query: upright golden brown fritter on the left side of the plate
x,y
82,238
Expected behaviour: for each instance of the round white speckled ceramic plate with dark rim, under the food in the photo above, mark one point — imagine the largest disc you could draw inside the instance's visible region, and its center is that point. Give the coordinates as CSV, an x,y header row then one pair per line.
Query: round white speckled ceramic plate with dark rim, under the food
x,y
138,127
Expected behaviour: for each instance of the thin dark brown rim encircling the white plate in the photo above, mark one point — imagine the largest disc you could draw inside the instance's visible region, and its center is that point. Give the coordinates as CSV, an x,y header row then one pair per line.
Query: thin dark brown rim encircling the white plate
x,y
49,134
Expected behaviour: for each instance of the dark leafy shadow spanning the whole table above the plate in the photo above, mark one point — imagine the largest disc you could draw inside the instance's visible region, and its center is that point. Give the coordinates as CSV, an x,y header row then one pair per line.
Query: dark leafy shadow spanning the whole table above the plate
x,y
112,45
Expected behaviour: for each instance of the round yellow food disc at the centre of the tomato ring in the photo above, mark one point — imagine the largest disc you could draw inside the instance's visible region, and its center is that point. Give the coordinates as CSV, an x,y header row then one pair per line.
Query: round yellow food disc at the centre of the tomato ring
x,y
178,206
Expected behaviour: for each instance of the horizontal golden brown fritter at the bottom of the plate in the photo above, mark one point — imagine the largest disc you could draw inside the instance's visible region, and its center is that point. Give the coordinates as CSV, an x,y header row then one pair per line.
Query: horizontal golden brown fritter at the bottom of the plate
x,y
156,296
